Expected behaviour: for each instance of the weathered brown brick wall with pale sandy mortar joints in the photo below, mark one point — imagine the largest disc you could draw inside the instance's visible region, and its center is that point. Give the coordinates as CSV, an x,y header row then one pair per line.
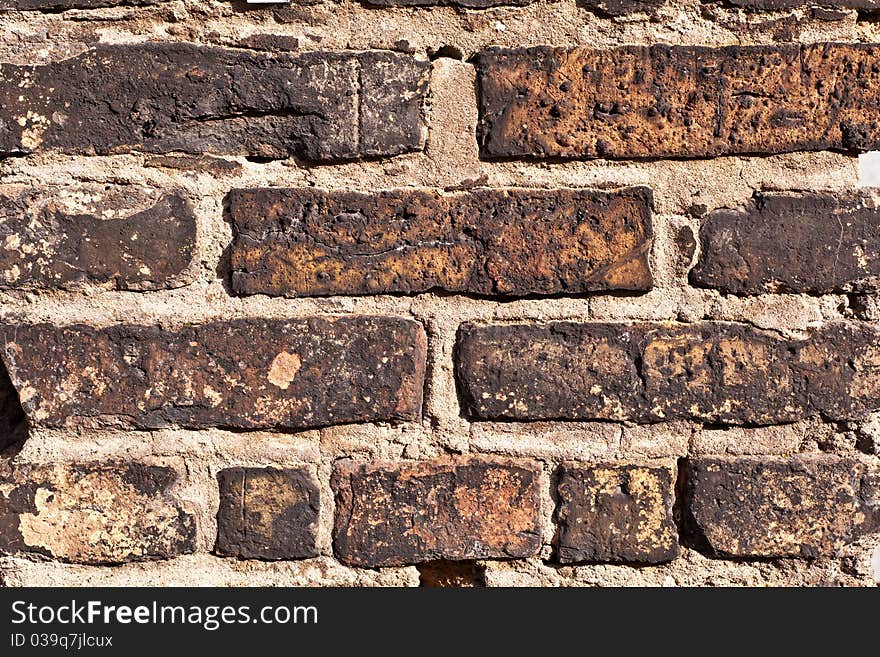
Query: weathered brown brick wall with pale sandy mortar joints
x,y
452,293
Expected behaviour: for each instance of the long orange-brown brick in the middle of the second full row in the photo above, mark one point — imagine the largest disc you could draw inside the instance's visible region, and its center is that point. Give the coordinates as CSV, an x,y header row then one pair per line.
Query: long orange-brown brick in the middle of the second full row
x,y
302,242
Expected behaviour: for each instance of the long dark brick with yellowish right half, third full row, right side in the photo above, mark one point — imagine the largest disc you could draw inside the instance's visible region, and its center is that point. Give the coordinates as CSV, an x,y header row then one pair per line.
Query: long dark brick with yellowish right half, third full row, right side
x,y
707,371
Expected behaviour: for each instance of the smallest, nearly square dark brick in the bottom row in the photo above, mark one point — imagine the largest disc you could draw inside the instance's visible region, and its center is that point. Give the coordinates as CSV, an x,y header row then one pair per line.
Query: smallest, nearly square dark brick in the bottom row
x,y
267,513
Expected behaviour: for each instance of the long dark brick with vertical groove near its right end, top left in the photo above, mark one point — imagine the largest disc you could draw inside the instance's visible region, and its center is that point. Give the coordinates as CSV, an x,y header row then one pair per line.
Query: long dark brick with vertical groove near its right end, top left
x,y
163,97
